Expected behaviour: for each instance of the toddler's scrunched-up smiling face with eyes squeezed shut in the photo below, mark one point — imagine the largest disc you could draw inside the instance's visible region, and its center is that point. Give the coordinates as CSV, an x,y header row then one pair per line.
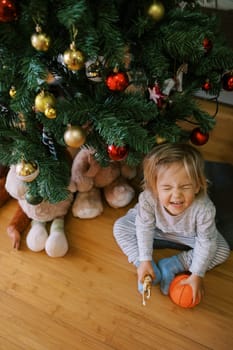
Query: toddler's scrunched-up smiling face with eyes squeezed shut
x,y
176,190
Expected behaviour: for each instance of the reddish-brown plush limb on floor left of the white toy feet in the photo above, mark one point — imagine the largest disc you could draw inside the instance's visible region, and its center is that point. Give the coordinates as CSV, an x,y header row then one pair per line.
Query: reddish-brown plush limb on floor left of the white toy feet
x,y
17,225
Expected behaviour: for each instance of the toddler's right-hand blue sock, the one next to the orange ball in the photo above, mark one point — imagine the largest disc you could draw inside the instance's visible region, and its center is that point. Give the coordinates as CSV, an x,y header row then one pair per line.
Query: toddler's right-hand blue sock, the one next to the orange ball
x,y
169,267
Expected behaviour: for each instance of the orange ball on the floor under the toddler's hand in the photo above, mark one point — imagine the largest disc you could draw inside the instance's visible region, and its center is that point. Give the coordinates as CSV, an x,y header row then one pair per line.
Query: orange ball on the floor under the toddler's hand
x,y
182,294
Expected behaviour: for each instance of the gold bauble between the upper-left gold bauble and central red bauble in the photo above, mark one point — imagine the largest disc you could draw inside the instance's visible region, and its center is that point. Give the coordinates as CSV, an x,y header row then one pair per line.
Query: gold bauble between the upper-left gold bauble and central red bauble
x,y
73,58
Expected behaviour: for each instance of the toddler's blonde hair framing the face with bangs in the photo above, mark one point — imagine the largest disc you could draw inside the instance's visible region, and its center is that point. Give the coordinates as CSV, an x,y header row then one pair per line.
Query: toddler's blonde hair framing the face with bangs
x,y
164,155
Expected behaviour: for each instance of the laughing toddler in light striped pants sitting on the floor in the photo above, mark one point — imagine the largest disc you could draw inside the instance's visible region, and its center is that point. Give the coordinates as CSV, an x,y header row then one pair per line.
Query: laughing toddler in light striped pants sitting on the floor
x,y
173,207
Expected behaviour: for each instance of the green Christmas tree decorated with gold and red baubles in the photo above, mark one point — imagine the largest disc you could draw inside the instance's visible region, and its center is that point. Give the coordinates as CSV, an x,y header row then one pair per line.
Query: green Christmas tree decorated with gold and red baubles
x,y
118,76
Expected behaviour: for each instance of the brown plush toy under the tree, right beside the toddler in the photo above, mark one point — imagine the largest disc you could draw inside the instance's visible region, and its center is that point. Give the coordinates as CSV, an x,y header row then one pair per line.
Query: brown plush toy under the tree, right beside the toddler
x,y
94,183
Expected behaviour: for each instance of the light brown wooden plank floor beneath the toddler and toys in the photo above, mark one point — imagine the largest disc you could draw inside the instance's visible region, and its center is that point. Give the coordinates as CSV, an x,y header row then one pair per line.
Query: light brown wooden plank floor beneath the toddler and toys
x,y
88,300
